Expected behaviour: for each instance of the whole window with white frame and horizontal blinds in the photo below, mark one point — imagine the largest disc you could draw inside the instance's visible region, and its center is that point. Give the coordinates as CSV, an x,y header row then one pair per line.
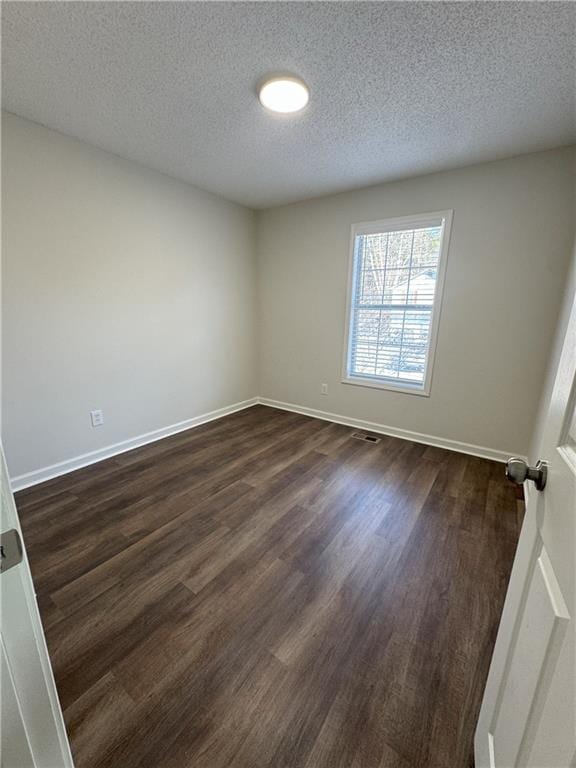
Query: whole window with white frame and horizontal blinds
x,y
394,294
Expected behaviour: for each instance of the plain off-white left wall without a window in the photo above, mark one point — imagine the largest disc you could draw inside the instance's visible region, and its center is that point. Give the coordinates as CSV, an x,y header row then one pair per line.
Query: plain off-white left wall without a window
x,y
123,290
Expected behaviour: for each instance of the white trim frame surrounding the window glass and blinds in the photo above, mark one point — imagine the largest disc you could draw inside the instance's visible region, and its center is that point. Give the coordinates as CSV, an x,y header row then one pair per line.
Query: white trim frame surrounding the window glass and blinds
x,y
443,218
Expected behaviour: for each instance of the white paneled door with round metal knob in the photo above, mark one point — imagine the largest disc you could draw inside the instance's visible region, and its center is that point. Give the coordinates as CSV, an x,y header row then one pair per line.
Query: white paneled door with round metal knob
x,y
528,715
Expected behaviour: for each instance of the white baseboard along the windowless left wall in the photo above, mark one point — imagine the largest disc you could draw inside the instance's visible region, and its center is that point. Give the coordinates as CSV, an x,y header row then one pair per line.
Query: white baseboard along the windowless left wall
x,y
62,468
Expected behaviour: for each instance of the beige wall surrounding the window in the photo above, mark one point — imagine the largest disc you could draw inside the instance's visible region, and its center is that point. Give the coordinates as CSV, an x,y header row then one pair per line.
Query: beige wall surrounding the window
x,y
508,258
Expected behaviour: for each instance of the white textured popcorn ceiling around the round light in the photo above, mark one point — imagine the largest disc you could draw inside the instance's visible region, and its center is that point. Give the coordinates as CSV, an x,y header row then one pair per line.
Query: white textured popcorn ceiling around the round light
x,y
397,89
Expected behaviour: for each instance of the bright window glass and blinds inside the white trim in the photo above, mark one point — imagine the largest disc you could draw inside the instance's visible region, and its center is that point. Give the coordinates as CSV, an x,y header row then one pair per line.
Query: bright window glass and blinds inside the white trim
x,y
395,277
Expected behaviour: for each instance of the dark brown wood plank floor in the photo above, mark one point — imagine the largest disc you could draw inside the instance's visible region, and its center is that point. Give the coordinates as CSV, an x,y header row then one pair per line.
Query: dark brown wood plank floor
x,y
265,590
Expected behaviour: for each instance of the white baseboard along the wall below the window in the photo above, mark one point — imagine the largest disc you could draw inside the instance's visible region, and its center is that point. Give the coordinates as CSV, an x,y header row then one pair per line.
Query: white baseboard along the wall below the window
x,y
383,429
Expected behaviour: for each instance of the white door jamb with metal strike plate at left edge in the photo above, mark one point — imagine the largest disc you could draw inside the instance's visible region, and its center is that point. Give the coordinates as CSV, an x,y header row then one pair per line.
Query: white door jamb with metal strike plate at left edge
x,y
32,729
